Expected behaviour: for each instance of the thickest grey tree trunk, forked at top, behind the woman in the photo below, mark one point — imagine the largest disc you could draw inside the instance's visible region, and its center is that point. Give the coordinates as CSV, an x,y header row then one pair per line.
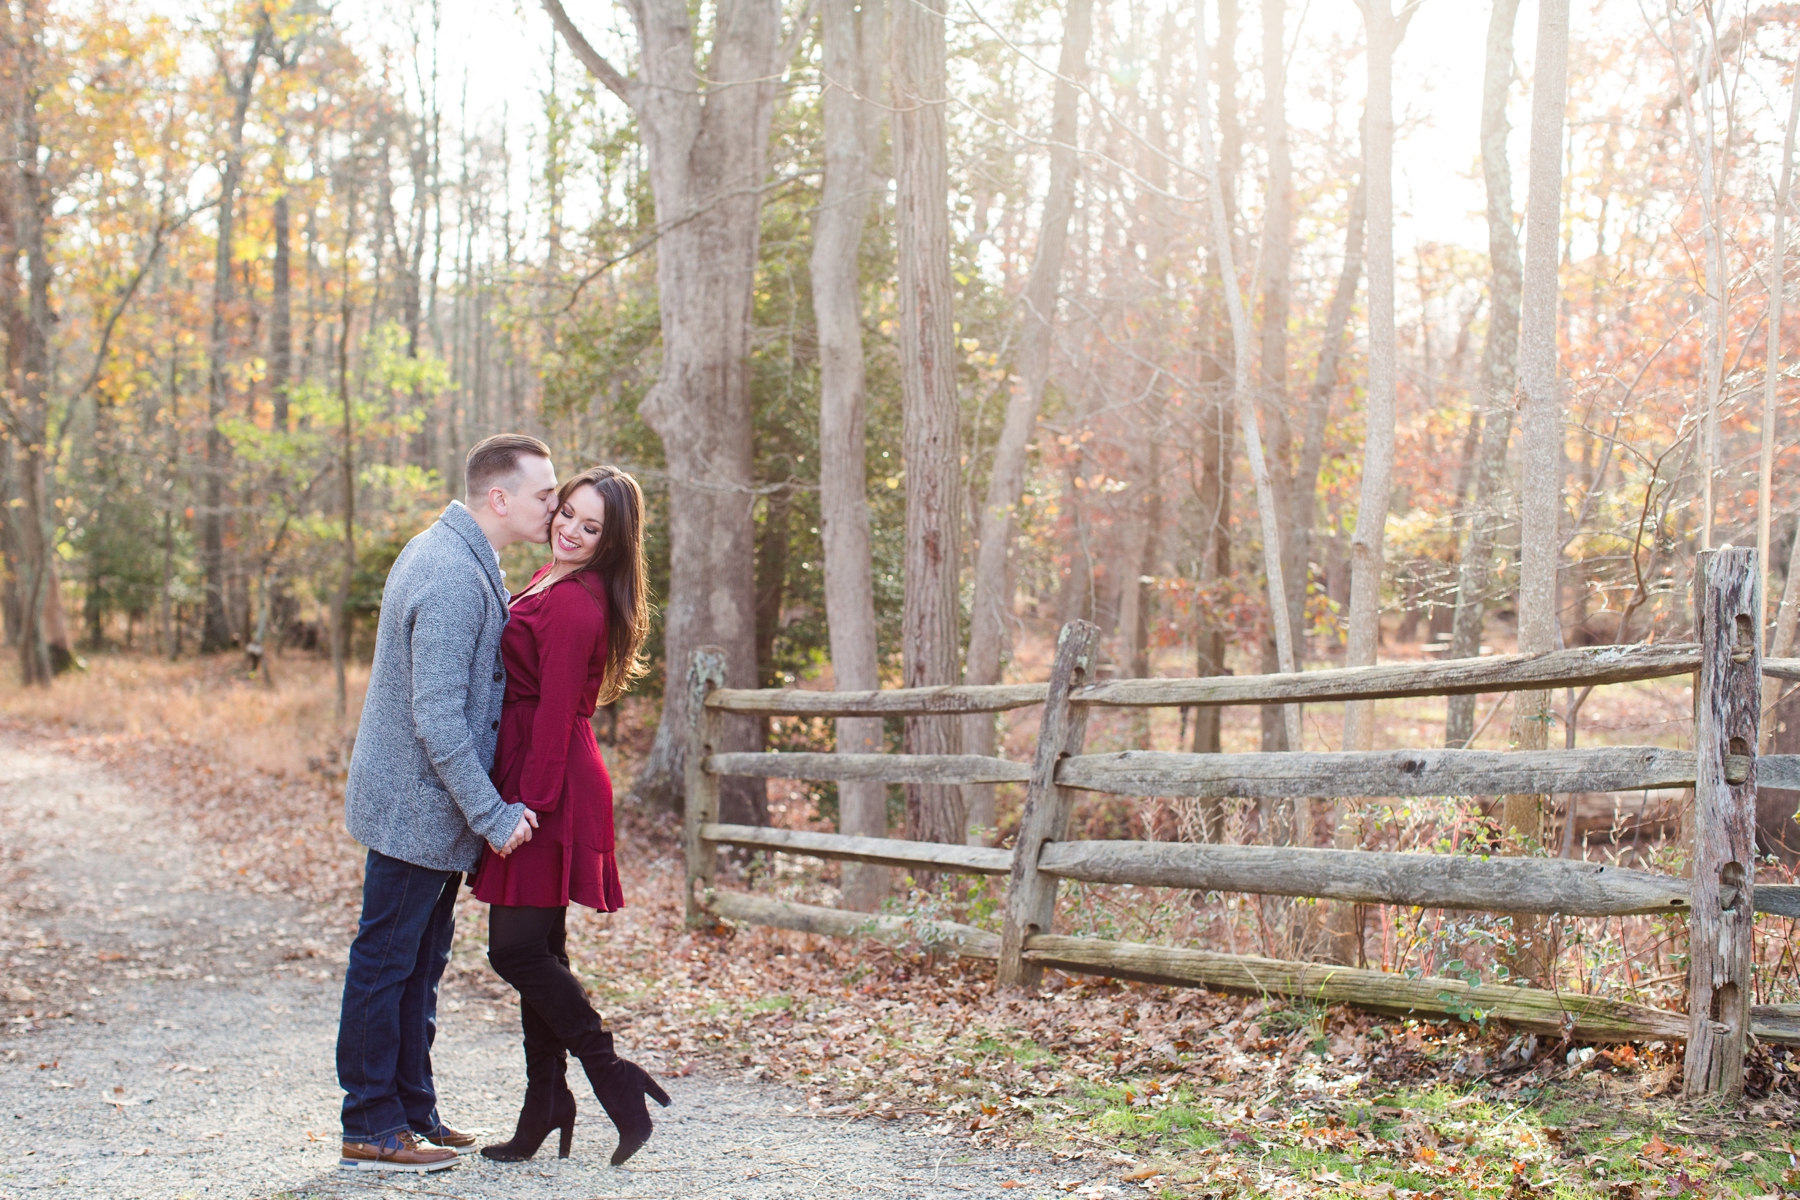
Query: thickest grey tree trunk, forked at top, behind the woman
x,y
706,143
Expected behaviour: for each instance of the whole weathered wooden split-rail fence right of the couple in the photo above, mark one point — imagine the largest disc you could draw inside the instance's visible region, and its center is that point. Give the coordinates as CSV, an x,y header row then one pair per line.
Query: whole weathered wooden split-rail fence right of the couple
x,y
1718,895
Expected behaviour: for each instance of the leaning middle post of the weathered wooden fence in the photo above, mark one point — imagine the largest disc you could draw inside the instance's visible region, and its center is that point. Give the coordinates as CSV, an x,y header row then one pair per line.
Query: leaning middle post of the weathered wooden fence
x,y
1032,897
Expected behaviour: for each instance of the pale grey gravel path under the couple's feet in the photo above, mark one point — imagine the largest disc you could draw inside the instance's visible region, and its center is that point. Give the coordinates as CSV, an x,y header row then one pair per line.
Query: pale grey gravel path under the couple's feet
x,y
174,1039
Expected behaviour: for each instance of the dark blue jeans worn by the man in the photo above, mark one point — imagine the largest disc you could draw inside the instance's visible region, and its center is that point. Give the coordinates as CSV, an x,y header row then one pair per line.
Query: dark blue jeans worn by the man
x,y
391,999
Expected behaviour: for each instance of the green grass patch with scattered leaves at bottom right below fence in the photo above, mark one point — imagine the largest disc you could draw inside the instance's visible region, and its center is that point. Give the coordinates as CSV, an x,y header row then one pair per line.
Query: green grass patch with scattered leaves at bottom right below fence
x,y
1594,1138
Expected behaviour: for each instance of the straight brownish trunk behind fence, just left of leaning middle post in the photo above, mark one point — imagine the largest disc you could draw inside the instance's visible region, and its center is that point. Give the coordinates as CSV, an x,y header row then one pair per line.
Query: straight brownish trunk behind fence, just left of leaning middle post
x,y
931,442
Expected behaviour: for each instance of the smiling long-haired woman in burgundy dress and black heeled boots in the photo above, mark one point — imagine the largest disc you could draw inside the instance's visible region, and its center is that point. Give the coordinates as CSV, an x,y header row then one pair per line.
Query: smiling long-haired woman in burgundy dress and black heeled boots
x,y
571,643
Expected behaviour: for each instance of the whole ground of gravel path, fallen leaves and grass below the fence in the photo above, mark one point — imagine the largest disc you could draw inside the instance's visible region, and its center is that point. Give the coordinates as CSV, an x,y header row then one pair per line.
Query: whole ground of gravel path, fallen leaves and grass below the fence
x,y
175,917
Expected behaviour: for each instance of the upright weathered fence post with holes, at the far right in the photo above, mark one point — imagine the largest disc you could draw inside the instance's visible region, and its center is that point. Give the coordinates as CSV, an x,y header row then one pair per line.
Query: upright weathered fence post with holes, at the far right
x,y
1727,715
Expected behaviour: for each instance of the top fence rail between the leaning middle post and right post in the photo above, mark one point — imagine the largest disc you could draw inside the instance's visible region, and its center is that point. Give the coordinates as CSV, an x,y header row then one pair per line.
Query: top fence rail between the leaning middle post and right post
x,y
1556,668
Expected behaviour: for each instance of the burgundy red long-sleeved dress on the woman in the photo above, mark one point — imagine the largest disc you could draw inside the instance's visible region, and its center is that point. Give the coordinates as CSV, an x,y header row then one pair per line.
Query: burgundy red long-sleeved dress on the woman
x,y
555,650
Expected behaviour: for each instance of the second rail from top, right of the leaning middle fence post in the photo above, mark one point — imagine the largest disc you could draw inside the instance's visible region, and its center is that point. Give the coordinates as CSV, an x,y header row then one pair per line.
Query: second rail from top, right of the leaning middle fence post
x,y
1387,773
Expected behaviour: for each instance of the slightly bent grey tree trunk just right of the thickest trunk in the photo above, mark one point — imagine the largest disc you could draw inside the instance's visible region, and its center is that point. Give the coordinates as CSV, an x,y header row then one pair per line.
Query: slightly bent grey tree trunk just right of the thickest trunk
x,y
852,35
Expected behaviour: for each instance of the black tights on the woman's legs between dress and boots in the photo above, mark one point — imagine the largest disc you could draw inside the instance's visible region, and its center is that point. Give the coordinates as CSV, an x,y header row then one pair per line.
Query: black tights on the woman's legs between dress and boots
x,y
528,951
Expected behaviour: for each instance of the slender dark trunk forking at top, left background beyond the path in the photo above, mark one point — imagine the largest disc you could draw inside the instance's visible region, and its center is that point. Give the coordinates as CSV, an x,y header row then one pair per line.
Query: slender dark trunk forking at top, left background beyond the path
x,y
215,631
